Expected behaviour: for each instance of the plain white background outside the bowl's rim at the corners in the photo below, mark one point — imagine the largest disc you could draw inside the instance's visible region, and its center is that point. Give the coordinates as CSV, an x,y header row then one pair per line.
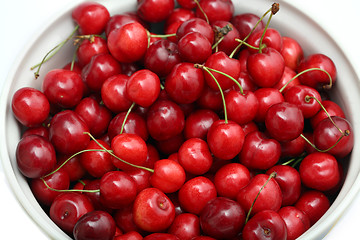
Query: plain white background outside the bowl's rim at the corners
x,y
20,19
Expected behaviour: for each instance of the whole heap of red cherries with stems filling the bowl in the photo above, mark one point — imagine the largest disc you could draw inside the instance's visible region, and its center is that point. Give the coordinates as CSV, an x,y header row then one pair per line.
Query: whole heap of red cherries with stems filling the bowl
x,y
219,128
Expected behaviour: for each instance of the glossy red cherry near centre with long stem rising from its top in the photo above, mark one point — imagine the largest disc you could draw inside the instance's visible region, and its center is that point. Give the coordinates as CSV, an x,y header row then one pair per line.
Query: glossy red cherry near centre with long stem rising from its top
x,y
225,140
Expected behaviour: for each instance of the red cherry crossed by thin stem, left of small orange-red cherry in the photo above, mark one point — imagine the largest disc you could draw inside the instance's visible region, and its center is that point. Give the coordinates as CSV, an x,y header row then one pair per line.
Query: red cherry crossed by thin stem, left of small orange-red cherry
x,y
97,163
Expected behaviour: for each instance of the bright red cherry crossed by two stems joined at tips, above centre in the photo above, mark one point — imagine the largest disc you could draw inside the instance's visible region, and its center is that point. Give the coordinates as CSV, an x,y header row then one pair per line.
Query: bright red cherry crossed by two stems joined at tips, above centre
x,y
223,63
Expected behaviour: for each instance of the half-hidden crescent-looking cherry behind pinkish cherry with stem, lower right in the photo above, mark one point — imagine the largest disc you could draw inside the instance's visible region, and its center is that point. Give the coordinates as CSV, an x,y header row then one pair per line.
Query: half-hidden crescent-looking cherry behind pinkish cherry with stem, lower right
x,y
289,181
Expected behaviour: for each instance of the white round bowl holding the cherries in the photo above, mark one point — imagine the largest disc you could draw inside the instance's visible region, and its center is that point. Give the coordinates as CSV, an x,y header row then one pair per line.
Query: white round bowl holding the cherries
x,y
346,94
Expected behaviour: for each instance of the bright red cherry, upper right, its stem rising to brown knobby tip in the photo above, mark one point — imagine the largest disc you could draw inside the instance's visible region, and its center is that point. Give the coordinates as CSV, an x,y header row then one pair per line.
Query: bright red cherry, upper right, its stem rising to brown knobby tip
x,y
266,68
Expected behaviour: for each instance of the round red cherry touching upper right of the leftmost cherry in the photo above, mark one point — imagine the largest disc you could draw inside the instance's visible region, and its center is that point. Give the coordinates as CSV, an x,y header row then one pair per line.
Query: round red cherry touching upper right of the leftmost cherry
x,y
63,88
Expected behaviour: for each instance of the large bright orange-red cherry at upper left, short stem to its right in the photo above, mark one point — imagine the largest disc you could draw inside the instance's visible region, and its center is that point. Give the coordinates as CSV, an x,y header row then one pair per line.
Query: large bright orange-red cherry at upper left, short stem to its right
x,y
128,43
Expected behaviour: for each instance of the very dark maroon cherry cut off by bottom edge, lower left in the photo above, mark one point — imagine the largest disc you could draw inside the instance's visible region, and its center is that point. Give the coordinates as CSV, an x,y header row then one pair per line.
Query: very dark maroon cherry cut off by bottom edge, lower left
x,y
95,225
